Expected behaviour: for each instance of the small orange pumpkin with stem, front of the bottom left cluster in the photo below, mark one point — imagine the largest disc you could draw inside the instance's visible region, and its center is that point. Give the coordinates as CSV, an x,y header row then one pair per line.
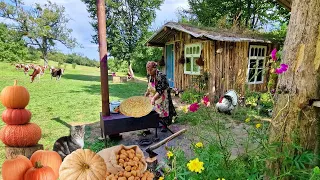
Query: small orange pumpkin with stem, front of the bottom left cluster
x,y
40,172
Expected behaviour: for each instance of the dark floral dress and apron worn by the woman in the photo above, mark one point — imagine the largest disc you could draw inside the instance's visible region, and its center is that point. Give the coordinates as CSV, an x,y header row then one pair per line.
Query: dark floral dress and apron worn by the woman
x,y
163,105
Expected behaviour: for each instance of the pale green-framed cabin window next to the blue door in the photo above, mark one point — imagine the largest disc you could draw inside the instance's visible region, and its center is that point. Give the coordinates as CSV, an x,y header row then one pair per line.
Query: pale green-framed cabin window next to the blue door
x,y
192,53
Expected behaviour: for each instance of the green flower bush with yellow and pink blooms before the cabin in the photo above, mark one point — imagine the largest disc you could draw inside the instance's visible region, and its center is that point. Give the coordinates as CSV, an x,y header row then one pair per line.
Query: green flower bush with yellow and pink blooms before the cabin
x,y
212,156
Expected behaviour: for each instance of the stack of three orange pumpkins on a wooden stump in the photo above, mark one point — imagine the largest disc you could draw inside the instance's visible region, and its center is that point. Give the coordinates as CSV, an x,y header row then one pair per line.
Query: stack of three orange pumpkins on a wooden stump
x,y
18,131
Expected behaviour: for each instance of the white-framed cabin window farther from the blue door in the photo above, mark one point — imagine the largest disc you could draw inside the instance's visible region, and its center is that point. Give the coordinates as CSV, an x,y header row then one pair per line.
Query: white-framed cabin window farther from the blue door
x,y
256,64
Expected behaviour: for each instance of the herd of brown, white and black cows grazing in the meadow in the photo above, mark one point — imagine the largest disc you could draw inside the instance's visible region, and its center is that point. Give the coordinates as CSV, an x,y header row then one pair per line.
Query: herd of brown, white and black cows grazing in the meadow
x,y
39,71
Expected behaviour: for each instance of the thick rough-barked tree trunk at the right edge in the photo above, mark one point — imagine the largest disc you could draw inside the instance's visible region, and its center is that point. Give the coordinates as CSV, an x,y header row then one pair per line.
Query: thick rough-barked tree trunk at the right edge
x,y
300,83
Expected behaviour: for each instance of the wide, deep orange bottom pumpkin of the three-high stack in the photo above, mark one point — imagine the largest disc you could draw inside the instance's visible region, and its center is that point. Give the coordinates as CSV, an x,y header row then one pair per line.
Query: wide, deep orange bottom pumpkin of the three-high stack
x,y
20,135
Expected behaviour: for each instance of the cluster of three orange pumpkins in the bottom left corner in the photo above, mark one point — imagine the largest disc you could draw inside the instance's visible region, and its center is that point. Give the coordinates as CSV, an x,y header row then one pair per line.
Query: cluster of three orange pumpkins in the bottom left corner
x,y
43,165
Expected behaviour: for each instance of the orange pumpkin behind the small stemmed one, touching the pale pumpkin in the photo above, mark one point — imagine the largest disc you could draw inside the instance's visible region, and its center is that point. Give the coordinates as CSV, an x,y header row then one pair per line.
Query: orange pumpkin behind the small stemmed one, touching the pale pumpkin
x,y
47,158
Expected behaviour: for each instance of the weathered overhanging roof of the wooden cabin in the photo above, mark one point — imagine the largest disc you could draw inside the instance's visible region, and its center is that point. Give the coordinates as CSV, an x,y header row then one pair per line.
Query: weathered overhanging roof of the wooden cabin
x,y
168,30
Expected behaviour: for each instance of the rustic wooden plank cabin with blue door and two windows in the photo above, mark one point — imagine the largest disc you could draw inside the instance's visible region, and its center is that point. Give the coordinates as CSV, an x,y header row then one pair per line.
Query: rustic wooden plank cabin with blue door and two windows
x,y
231,60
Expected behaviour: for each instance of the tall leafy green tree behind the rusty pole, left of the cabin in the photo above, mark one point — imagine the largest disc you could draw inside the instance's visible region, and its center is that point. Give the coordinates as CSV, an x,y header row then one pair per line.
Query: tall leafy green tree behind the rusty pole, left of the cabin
x,y
127,22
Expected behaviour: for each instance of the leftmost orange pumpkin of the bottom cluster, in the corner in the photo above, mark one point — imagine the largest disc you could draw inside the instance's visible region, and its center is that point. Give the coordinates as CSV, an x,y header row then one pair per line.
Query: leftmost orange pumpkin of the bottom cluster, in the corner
x,y
13,169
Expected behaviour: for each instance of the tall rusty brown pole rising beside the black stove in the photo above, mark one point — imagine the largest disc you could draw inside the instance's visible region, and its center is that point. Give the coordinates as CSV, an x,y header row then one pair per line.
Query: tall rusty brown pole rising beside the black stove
x,y
102,33
